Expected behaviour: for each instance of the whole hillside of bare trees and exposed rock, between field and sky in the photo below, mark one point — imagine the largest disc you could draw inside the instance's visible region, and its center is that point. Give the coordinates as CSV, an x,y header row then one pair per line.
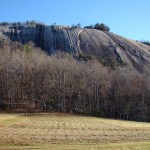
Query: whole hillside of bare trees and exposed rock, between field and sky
x,y
76,78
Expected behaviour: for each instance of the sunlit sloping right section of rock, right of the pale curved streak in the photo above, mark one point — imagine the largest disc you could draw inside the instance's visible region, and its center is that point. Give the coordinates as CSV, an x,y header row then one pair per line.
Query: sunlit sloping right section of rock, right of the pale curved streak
x,y
113,47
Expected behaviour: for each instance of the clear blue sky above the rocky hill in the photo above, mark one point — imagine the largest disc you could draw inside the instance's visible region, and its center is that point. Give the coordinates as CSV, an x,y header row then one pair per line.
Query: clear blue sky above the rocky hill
x,y
128,18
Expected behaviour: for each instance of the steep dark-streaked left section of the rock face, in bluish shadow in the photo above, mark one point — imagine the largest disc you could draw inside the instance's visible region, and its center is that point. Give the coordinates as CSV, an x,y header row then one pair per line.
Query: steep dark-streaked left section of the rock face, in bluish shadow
x,y
49,38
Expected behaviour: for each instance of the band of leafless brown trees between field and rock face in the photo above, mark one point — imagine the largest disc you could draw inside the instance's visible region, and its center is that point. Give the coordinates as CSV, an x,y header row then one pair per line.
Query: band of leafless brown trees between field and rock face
x,y
31,80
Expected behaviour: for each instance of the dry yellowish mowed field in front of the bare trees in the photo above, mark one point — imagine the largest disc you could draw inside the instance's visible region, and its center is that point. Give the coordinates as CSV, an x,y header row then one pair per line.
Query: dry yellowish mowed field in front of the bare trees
x,y
64,131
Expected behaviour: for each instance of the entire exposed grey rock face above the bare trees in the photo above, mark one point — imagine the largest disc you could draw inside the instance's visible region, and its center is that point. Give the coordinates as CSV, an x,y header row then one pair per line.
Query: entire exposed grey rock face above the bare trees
x,y
77,41
